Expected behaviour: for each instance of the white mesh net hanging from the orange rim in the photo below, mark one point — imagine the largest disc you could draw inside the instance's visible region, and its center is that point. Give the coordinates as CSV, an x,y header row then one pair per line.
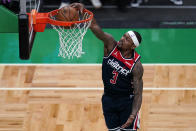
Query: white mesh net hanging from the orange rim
x,y
71,38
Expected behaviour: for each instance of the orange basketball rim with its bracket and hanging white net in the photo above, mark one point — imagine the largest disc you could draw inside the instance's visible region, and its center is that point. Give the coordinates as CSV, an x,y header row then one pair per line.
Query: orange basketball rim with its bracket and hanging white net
x,y
71,34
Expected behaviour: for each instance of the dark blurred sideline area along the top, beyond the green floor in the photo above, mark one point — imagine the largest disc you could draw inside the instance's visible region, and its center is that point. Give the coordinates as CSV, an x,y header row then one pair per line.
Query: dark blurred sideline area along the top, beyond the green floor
x,y
153,14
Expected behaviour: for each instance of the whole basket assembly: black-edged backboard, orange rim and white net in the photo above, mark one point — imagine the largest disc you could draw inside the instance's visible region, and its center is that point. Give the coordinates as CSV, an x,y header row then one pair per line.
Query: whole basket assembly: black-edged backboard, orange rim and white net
x,y
71,33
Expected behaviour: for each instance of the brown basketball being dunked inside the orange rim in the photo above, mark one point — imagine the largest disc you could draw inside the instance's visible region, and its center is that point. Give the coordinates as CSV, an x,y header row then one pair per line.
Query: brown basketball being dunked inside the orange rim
x,y
67,13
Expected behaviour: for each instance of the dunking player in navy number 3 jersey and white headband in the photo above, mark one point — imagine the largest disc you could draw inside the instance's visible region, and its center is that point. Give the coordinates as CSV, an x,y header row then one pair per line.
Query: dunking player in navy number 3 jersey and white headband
x,y
122,74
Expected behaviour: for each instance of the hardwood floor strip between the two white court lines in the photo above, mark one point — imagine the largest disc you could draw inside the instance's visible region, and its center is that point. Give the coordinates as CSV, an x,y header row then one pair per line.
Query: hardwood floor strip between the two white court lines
x,y
90,76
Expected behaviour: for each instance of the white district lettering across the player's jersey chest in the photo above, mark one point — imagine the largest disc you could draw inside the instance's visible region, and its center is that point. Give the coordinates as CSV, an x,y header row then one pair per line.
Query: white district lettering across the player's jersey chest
x,y
120,69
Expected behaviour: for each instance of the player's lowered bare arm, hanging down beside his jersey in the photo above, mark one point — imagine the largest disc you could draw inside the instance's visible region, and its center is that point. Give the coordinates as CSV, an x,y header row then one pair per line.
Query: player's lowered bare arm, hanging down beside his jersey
x,y
138,90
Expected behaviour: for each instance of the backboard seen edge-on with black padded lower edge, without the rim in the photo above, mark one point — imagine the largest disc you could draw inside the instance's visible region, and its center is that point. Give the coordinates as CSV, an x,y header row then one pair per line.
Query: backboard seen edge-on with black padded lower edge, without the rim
x,y
26,32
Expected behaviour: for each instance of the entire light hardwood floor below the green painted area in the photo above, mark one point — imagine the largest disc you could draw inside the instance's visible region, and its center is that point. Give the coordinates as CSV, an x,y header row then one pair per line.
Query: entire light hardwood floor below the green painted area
x,y
162,110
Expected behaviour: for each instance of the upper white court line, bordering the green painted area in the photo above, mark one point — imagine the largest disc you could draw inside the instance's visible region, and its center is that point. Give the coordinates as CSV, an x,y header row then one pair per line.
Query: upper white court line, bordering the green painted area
x,y
91,64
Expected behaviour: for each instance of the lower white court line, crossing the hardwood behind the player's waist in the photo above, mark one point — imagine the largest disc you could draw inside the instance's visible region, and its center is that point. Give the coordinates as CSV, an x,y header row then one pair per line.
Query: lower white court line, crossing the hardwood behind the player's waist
x,y
93,88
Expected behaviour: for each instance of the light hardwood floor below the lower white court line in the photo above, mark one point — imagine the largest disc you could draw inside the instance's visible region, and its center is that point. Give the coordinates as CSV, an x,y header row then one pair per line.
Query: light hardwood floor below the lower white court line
x,y
81,111
